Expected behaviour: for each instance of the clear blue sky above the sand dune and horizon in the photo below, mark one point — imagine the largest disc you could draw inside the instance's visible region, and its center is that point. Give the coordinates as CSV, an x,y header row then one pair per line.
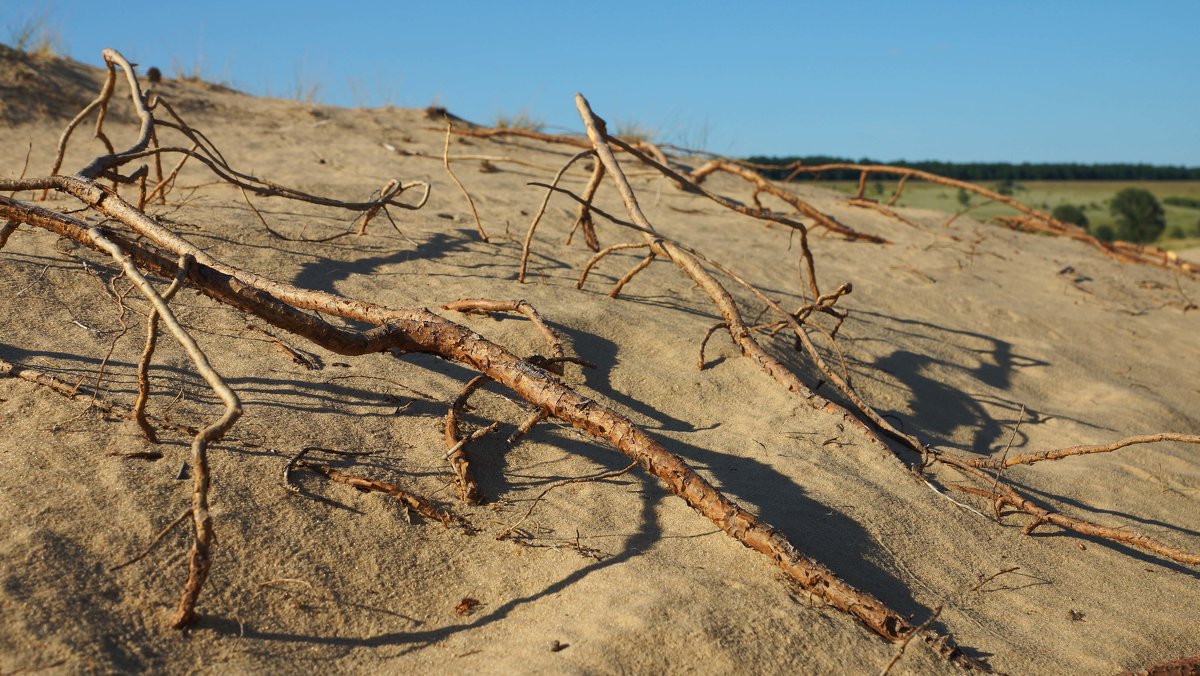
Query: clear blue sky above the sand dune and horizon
x,y
1091,81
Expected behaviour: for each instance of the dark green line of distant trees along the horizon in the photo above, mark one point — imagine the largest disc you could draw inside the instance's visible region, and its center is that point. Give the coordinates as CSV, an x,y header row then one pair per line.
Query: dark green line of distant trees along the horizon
x,y
980,172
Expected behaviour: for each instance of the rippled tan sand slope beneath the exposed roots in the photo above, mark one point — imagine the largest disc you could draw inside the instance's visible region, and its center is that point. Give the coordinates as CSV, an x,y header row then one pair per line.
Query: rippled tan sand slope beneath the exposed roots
x,y
951,331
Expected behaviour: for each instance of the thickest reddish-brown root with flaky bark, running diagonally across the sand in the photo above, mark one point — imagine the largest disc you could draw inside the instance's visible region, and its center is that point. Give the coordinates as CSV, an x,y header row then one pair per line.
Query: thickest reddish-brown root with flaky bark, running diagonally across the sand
x,y
418,331
